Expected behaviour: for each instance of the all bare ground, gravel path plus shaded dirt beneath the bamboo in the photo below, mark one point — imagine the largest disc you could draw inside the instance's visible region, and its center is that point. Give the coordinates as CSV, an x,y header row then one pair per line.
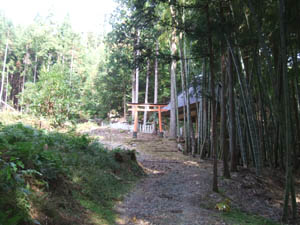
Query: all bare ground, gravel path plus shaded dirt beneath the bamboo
x,y
178,188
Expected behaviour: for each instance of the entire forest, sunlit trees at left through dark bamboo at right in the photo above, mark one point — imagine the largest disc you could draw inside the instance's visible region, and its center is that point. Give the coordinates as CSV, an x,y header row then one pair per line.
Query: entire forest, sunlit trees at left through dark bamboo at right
x,y
159,48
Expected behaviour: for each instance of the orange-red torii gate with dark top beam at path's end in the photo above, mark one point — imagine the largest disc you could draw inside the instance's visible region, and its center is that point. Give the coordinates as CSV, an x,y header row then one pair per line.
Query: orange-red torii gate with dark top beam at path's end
x,y
137,107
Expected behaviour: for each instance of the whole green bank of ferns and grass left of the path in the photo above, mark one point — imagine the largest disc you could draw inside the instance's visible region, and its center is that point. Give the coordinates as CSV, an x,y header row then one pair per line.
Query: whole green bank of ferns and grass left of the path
x,y
55,178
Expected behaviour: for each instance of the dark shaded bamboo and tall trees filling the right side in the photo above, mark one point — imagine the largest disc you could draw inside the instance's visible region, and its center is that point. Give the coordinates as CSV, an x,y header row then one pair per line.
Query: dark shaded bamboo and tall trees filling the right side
x,y
244,56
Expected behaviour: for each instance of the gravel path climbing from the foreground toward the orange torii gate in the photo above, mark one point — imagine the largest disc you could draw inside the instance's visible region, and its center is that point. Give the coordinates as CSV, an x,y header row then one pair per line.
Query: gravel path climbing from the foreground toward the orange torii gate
x,y
174,192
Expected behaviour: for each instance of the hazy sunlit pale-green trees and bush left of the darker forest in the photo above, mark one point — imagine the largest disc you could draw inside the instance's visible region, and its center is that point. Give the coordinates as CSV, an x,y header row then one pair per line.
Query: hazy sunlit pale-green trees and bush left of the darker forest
x,y
59,68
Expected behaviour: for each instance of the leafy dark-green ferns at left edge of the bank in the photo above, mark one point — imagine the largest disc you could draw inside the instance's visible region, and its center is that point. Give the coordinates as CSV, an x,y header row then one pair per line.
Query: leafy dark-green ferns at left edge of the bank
x,y
23,156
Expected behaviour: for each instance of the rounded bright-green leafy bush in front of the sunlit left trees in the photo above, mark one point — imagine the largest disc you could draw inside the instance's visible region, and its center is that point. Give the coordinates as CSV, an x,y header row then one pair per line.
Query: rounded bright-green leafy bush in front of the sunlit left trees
x,y
54,96
